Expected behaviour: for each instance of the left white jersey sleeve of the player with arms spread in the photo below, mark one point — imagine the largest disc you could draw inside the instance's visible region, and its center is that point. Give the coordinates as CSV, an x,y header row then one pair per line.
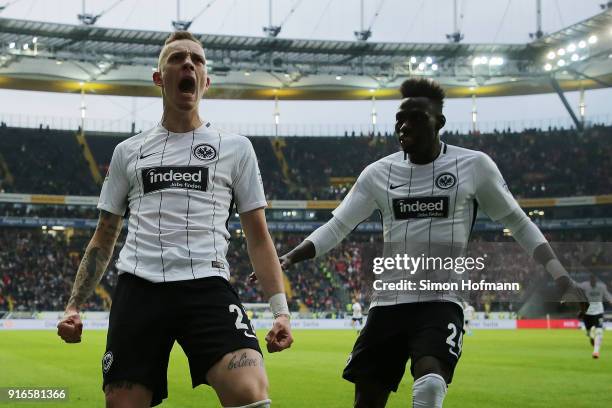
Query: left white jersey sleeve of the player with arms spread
x,y
359,203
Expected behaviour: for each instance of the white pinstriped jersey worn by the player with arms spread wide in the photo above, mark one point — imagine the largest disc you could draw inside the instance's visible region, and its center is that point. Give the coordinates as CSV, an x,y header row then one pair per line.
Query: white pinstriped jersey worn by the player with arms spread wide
x,y
426,209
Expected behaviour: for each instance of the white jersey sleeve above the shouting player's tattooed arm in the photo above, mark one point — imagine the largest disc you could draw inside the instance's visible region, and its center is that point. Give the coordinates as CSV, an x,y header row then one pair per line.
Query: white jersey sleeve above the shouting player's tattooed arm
x,y
114,194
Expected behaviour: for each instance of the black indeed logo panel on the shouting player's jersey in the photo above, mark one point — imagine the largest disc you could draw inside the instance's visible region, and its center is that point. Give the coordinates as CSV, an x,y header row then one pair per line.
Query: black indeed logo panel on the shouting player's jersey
x,y
164,177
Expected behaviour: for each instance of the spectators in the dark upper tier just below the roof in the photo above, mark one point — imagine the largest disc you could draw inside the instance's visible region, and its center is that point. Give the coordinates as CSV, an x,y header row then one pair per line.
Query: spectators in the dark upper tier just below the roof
x,y
535,163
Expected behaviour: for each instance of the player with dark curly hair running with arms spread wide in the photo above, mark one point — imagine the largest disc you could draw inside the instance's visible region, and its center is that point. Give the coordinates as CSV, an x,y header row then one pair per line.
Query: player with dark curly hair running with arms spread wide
x,y
428,195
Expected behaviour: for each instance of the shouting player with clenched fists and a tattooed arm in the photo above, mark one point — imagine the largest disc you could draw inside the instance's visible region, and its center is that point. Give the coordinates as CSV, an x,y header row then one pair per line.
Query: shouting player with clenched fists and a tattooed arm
x,y
180,181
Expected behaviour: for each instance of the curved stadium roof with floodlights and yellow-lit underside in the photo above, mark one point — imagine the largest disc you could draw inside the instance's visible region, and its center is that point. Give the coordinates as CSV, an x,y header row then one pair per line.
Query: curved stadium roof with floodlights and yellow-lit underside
x,y
67,58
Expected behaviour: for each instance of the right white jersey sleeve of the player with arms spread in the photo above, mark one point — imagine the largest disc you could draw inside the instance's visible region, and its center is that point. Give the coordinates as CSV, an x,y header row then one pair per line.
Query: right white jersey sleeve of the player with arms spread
x,y
492,191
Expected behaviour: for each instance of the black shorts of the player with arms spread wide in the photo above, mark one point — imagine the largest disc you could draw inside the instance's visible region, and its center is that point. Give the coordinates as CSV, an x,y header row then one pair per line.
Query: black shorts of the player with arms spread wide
x,y
395,334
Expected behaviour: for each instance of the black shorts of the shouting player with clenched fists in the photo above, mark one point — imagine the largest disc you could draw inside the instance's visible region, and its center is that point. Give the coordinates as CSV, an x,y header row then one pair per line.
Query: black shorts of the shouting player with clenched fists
x,y
203,315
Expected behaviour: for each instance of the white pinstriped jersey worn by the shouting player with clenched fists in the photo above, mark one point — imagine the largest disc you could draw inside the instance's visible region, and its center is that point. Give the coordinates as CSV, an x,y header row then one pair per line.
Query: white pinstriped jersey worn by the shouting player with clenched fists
x,y
180,189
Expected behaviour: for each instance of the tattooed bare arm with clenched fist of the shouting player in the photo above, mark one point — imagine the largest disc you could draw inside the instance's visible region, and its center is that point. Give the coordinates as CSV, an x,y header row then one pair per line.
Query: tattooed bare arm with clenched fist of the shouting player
x,y
92,267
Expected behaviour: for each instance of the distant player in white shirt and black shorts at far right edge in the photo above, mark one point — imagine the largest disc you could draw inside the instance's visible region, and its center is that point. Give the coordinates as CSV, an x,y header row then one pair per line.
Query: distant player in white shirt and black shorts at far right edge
x,y
595,291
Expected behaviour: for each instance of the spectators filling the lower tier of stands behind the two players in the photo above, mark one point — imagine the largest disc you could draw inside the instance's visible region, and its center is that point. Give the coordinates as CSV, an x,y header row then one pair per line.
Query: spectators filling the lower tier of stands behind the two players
x,y
37,269
